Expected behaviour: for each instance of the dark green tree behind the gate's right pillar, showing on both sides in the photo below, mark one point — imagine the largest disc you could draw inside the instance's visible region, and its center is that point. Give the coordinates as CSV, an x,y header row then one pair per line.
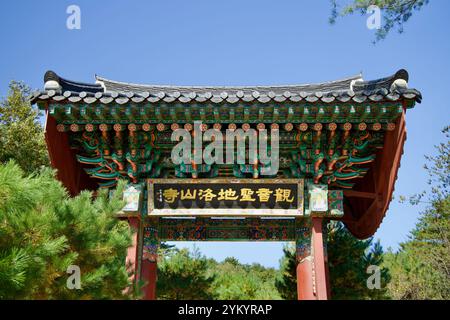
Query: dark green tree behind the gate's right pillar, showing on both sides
x,y
348,260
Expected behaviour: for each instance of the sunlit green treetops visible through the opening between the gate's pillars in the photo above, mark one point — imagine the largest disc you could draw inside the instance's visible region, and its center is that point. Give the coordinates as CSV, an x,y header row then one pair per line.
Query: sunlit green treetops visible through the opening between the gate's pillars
x,y
184,274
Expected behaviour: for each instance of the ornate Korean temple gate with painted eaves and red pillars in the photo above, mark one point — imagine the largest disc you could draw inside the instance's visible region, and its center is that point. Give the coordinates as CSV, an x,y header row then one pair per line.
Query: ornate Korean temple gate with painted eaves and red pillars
x,y
340,145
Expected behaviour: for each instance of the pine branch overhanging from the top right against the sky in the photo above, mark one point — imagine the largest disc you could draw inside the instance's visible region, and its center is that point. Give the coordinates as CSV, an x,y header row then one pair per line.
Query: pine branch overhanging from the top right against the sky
x,y
395,12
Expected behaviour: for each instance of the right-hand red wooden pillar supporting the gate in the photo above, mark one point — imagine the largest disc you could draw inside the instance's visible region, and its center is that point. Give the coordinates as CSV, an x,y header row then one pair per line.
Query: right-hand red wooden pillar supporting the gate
x,y
311,270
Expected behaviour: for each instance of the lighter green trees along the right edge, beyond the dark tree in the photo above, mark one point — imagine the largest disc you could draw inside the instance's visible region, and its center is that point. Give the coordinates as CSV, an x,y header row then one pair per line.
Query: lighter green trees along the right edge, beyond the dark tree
x,y
421,269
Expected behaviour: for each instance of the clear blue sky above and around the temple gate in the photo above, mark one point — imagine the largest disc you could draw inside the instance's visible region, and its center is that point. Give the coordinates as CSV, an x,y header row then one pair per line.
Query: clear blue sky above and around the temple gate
x,y
203,42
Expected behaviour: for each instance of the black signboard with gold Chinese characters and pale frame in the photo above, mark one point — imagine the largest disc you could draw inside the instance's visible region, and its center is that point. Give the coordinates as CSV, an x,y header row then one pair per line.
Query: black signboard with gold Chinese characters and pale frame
x,y
225,197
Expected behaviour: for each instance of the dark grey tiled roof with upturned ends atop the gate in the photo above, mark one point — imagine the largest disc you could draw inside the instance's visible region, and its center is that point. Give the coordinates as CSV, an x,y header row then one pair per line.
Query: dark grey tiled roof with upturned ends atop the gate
x,y
392,88
